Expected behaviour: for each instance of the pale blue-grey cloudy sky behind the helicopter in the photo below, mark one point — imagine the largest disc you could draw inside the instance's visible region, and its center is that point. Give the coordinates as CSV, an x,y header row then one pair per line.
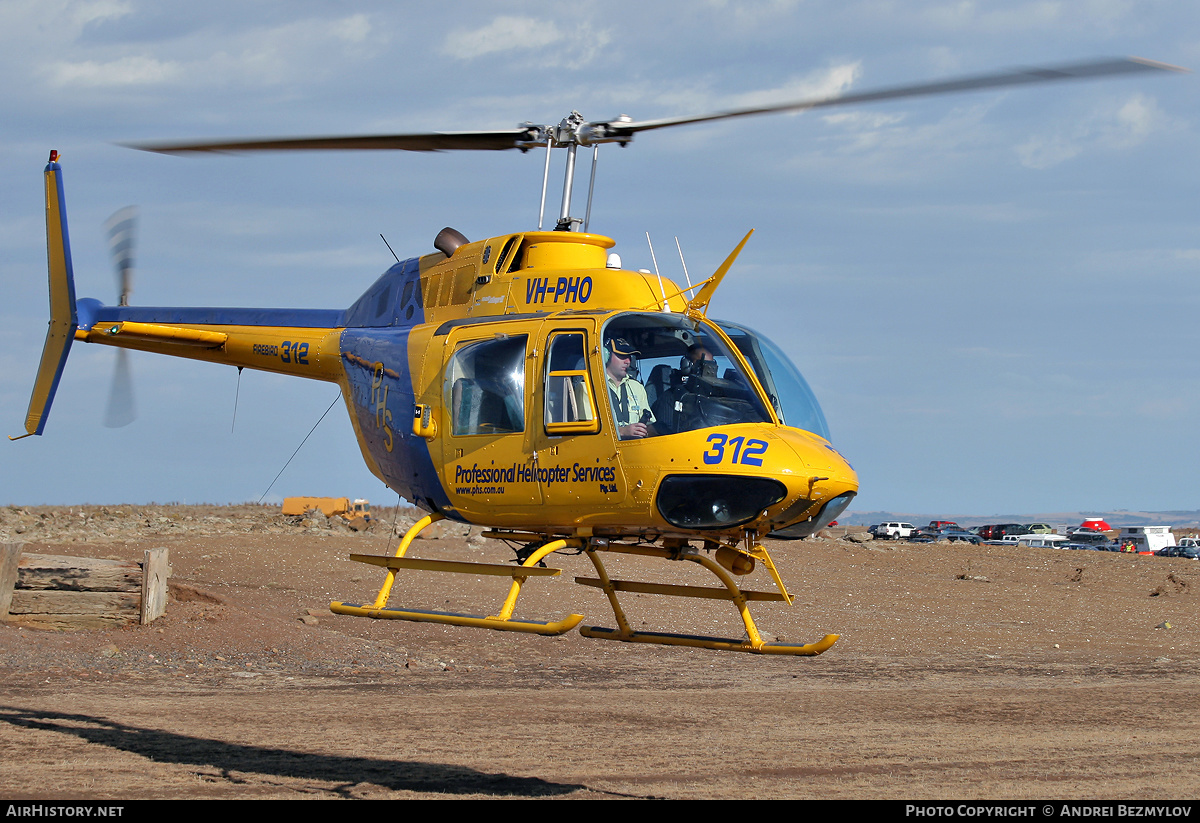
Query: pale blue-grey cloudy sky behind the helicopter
x,y
994,296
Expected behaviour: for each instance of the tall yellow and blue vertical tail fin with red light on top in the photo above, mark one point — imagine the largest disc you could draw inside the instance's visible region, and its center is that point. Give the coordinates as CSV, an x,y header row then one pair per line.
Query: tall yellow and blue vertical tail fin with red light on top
x,y
64,321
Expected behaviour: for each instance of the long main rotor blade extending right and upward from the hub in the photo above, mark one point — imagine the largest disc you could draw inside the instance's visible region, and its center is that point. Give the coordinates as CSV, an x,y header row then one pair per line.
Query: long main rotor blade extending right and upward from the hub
x,y
1078,71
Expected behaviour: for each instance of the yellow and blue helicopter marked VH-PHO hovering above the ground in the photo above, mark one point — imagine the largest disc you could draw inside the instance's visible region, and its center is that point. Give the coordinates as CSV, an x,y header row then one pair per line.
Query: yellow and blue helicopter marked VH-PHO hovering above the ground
x,y
530,385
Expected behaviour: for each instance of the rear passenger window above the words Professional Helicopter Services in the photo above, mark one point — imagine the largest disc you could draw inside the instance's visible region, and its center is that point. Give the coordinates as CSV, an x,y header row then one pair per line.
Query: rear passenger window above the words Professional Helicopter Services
x,y
485,387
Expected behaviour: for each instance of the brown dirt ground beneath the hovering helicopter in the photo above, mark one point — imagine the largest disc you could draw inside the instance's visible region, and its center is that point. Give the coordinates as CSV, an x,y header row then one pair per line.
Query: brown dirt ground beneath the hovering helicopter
x,y
962,672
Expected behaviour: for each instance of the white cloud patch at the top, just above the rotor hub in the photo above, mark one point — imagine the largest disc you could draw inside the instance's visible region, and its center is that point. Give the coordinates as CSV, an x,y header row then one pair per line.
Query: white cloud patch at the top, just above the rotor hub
x,y
526,34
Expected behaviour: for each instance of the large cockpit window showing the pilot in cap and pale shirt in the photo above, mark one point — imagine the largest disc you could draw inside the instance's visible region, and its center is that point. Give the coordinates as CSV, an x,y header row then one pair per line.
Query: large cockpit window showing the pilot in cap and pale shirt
x,y
669,374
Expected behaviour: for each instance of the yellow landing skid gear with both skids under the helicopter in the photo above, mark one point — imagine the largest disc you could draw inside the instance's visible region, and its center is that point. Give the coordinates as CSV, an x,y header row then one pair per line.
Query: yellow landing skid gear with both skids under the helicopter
x,y
503,620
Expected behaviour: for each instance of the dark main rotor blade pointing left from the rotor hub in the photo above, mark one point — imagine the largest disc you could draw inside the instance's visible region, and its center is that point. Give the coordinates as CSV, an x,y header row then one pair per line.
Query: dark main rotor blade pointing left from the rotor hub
x,y
496,141
